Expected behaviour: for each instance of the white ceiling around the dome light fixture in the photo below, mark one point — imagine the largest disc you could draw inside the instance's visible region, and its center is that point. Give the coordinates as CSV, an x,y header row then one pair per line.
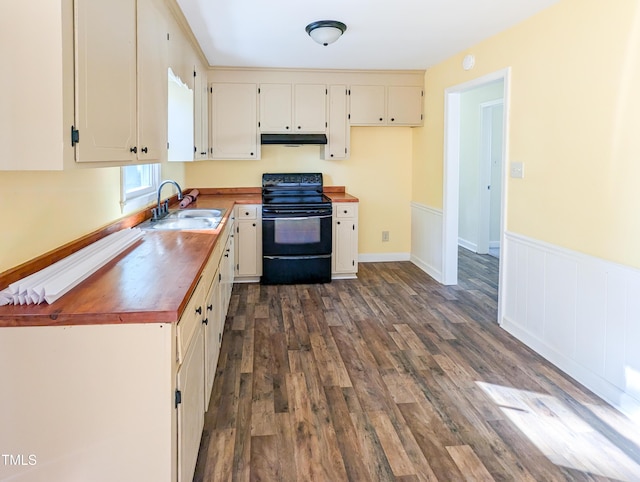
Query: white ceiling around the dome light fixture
x,y
403,34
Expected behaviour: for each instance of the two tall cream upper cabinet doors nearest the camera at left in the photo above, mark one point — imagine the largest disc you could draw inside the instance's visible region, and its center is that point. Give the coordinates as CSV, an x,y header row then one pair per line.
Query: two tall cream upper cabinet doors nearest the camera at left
x,y
120,81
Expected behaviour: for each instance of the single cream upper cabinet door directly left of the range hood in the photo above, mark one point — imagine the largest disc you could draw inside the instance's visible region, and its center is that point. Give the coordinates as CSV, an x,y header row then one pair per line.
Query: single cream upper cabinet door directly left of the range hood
x,y
234,121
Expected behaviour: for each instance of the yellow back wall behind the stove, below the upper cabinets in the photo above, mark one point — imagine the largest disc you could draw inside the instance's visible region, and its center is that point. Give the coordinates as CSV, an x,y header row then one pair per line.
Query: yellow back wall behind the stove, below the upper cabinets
x,y
378,173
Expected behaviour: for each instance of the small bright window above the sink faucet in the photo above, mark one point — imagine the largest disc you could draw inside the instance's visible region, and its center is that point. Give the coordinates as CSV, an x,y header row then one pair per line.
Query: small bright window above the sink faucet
x,y
139,186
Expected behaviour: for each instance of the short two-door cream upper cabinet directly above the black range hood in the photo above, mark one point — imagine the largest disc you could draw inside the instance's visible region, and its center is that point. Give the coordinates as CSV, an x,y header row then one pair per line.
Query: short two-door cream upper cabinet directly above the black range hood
x,y
289,108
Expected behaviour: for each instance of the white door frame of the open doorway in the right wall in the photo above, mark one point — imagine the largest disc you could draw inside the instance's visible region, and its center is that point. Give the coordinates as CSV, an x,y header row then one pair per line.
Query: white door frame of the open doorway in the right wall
x,y
451,178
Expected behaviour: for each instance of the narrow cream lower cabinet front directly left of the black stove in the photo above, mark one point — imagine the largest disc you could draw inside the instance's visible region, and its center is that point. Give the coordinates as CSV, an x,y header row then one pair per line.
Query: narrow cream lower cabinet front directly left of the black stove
x,y
249,241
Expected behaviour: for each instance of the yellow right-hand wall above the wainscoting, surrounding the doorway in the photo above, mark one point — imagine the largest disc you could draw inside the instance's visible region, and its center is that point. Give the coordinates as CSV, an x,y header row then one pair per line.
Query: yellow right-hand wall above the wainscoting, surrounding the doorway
x,y
574,122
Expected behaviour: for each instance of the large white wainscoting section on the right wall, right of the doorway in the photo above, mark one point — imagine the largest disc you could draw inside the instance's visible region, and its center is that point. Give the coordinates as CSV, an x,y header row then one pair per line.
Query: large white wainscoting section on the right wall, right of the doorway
x,y
579,312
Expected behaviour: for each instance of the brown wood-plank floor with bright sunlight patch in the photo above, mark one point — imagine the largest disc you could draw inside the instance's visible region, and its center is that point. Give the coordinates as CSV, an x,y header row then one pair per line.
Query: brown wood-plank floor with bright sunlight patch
x,y
395,377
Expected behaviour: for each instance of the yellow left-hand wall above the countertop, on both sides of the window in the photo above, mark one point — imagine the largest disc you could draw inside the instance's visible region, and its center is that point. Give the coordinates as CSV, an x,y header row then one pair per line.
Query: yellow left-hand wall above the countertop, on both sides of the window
x,y
46,209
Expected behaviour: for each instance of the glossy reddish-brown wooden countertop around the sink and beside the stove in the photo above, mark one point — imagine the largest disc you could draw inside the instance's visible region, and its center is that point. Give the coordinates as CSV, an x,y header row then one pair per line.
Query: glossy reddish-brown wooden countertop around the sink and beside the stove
x,y
151,282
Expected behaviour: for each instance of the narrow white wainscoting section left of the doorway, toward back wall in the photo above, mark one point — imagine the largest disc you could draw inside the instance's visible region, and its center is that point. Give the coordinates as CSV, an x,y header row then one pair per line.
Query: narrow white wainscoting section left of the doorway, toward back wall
x,y
426,239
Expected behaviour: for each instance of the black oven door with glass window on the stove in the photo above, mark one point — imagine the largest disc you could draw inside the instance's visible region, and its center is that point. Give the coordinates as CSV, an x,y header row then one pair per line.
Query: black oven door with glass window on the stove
x,y
296,232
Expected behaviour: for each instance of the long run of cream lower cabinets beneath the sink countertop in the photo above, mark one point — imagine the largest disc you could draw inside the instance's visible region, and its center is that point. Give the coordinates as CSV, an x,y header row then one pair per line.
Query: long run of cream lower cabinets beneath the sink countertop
x,y
123,401
